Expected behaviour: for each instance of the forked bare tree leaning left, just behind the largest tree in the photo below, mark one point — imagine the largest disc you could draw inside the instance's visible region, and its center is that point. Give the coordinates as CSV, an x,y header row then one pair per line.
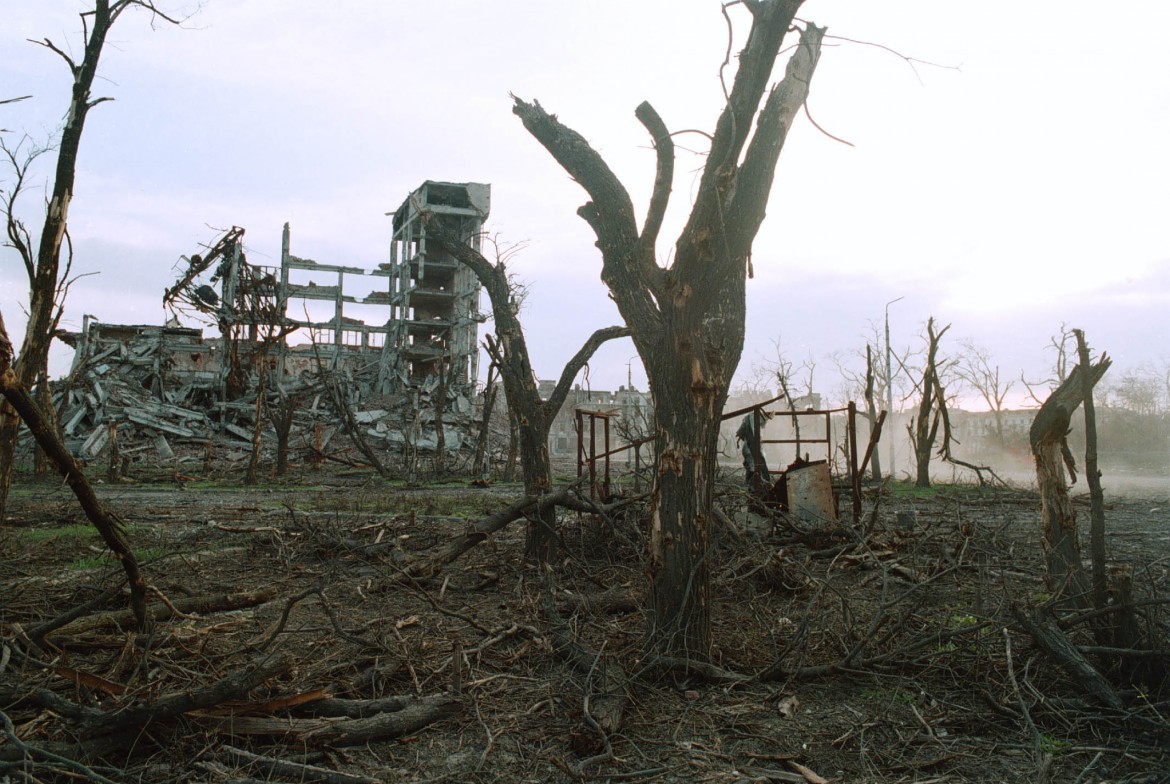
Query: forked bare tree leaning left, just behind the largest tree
x,y
510,354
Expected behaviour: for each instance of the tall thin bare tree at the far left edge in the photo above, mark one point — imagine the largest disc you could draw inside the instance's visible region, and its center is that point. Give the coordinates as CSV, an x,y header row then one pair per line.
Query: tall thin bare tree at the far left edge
x,y
43,257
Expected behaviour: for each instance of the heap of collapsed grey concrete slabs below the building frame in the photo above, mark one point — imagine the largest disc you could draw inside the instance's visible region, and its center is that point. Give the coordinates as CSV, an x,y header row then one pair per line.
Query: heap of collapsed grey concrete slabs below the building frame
x,y
162,388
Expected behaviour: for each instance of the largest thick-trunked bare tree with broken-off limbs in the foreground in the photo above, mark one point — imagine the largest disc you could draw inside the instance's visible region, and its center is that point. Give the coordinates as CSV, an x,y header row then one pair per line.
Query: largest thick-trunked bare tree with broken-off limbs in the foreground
x,y
687,320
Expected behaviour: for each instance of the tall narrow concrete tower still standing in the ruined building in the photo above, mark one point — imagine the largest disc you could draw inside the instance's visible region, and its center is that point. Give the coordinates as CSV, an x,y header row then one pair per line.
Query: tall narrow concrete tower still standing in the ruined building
x,y
435,300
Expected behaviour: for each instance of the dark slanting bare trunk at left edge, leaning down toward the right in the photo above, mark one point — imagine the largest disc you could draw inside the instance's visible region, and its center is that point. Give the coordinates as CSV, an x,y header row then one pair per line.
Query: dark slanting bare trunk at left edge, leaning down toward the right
x,y
107,525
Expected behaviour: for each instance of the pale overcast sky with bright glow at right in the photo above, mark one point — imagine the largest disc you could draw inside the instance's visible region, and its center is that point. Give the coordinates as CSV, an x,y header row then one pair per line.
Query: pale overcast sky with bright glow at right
x,y
1020,184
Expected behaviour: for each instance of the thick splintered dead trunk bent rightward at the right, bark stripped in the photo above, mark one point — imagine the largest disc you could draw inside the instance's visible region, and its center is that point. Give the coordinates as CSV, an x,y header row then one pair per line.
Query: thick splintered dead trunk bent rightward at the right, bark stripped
x,y
1051,456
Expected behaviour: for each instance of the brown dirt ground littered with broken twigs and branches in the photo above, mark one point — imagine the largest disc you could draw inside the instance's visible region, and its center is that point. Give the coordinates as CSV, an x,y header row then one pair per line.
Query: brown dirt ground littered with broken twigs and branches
x,y
884,652
